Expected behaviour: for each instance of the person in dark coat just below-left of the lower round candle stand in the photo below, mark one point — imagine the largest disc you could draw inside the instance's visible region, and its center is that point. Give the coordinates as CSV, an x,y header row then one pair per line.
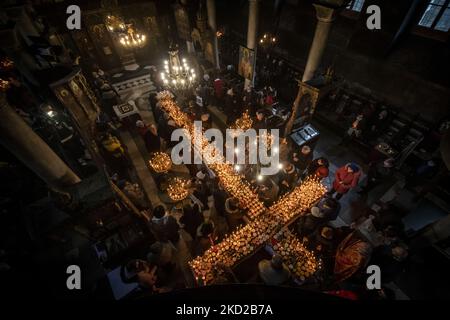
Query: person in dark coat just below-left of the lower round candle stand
x,y
164,227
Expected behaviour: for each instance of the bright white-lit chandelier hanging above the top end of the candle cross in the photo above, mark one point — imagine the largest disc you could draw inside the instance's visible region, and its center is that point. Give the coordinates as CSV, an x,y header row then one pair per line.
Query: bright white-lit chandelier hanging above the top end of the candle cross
x,y
177,75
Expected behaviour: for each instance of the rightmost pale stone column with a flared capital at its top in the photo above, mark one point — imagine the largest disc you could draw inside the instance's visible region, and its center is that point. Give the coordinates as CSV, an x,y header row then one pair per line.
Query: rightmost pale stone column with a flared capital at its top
x,y
325,17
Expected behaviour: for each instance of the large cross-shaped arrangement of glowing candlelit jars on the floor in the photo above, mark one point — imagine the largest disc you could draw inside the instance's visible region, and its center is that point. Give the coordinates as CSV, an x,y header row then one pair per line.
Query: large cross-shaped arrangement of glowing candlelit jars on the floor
x,y
264,223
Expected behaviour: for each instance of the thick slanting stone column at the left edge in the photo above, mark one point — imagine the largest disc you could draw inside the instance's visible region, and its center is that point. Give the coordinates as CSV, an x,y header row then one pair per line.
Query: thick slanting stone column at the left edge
x,y
29,148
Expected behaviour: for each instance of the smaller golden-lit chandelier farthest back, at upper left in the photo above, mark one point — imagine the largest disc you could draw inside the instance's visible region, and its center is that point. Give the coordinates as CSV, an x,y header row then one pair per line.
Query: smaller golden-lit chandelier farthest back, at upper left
x,y
127,34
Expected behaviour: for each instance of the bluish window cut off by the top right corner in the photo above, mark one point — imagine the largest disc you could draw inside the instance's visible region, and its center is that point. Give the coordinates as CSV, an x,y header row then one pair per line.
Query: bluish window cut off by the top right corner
x,y
436,15
